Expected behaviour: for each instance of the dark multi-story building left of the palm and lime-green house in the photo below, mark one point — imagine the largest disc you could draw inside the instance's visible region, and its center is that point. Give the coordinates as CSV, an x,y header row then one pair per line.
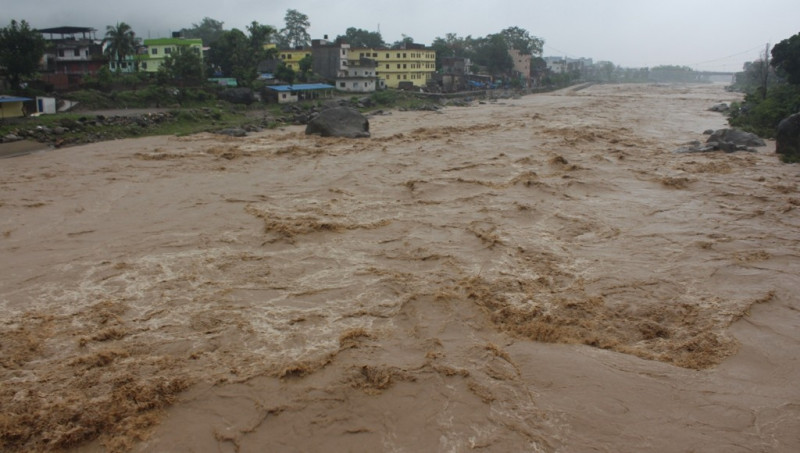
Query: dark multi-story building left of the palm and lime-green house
x,y
70,54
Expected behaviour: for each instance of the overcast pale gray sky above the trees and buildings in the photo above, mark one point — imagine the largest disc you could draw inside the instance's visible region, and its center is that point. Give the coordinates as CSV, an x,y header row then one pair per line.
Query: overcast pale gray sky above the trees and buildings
x,y
703,34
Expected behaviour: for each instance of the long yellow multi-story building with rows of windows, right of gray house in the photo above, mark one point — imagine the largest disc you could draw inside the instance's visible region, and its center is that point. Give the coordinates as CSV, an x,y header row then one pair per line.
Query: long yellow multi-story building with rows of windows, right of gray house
x,y
416,64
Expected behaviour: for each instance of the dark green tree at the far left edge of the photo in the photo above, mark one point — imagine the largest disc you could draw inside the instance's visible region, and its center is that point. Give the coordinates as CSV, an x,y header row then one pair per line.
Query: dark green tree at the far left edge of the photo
x,y
21,50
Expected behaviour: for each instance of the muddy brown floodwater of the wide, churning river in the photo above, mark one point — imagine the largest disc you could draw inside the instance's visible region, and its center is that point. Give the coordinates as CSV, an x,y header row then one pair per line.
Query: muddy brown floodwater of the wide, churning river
x,y
535,274
